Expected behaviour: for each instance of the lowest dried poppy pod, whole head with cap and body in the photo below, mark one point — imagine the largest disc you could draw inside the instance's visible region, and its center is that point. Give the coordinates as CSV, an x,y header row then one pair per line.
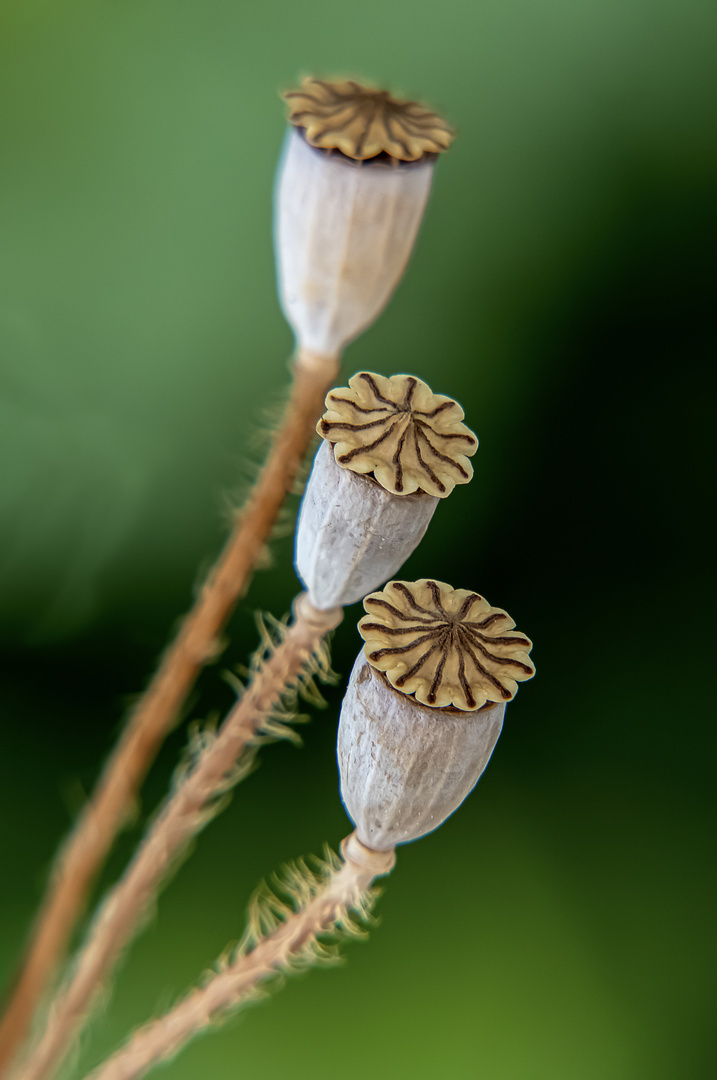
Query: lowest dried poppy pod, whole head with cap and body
x,y
425,707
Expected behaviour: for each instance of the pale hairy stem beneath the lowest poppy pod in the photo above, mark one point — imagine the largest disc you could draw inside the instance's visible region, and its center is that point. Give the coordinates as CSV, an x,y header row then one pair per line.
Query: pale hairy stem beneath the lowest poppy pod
x,y
165,1037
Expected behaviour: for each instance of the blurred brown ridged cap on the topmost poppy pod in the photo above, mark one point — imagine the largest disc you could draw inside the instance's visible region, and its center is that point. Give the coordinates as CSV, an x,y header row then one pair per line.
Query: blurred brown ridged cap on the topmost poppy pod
x,y
364,123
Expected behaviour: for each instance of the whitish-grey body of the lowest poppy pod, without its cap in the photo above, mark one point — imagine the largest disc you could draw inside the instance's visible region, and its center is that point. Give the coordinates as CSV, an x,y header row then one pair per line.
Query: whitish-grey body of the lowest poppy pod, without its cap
x,y
407,767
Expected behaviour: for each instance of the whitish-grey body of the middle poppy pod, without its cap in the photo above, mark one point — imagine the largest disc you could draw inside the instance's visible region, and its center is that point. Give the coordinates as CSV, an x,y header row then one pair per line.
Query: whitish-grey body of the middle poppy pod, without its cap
x,y
353,535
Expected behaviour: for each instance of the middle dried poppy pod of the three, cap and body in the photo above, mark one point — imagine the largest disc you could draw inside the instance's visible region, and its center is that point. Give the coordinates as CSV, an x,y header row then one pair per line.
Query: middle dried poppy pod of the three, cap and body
x,y
393,449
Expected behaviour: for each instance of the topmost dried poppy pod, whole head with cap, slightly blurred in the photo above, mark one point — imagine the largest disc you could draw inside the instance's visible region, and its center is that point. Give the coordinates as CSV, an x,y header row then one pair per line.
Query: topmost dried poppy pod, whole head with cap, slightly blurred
x,y
353,188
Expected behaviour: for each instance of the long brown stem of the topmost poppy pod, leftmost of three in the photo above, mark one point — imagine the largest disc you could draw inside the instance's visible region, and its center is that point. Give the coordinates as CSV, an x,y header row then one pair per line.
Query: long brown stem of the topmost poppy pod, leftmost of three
x,y
157,711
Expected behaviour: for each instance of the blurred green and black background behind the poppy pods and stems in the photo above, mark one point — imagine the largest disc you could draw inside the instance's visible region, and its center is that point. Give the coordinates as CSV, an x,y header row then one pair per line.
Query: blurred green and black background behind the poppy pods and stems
x,y
561,926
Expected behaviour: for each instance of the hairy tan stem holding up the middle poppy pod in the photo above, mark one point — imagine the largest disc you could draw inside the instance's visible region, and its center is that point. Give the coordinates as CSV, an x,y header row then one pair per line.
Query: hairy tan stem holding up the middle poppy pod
x,y
187,811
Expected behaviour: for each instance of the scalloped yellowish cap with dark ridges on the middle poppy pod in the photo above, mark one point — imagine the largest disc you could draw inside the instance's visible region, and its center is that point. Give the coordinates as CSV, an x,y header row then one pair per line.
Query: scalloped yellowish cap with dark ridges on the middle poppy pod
x,y
399,431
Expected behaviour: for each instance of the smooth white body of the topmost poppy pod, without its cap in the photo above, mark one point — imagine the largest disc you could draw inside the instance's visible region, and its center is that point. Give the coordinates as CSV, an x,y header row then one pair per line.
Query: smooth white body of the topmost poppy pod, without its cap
x,y
345,232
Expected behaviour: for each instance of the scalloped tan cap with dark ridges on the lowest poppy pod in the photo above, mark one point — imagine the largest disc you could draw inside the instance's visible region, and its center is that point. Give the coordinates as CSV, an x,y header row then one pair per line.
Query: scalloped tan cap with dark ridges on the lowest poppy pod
x,y
444,646
